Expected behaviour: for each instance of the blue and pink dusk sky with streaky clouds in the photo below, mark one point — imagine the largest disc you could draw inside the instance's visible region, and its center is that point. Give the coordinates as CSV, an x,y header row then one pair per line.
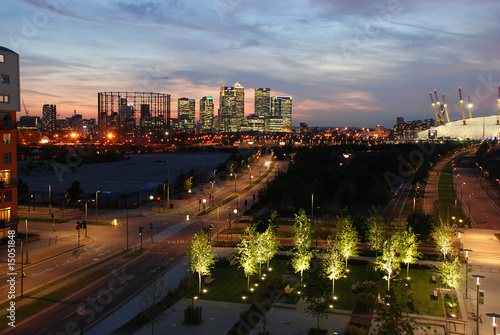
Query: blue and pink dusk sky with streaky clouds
x,y
345,64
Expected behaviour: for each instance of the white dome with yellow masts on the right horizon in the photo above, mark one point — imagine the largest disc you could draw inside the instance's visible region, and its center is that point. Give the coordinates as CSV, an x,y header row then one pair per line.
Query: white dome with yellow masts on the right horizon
x,y
468,127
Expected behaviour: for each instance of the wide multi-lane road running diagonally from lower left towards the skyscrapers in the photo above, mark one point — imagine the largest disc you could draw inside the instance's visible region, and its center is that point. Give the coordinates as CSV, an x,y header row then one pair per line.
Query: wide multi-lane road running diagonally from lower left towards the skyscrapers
x,y
127,277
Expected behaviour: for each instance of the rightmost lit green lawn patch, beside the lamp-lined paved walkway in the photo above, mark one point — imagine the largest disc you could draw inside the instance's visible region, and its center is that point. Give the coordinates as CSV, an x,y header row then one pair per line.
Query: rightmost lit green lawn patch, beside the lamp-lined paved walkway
x,y
421,288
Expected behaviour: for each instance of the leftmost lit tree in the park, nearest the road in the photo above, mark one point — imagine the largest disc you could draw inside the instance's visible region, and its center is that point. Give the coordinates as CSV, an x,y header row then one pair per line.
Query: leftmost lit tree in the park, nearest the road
x,y
201,255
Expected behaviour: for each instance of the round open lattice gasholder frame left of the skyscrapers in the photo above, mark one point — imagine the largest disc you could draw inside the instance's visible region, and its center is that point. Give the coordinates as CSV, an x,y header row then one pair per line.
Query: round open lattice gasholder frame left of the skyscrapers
x,y
128,115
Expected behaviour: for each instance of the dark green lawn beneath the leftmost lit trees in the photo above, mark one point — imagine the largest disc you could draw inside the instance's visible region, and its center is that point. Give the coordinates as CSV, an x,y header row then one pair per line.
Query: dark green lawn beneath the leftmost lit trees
x,y
230,283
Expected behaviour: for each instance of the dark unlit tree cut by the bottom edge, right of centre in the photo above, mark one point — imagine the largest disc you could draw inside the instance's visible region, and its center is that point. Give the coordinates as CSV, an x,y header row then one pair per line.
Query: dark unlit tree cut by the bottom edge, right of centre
x,y
393,316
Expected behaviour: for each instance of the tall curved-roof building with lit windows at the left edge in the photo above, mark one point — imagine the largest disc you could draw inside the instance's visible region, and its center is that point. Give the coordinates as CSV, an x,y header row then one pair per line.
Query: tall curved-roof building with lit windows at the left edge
x,y
9,105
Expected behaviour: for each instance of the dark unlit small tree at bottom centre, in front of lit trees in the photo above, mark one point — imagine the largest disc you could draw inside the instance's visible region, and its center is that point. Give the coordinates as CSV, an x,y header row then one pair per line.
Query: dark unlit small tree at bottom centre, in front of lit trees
x,y
316,296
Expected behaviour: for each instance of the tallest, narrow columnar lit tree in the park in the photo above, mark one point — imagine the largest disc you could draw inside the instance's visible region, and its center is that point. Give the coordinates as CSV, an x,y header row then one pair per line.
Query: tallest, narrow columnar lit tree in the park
x,y
302,240
